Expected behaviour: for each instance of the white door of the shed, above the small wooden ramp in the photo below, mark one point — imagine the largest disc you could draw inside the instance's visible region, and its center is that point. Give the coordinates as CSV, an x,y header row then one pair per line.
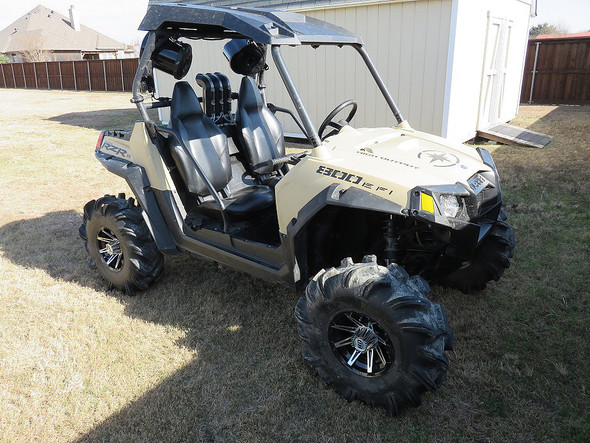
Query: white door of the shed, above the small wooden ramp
x,y
495,67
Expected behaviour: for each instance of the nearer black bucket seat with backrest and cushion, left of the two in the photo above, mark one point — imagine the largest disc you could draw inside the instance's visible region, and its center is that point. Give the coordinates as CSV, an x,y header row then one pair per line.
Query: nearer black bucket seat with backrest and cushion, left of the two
x,y
208,145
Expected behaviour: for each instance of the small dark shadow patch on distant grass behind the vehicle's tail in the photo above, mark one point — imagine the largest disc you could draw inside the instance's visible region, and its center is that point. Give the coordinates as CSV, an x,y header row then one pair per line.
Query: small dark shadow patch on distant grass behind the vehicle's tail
x,y
102,119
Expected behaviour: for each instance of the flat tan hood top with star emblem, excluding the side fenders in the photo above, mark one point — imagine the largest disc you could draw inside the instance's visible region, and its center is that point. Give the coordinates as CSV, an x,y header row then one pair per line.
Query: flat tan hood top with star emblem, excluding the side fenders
x,y
406,157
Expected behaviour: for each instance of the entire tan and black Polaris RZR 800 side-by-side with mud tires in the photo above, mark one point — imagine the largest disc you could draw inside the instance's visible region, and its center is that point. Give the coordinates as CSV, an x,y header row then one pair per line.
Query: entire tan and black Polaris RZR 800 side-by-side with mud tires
x,y
360,222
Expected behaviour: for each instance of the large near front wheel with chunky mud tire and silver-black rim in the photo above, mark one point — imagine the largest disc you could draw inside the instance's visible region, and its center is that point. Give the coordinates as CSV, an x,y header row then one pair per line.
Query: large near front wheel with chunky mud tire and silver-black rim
x,y
371,333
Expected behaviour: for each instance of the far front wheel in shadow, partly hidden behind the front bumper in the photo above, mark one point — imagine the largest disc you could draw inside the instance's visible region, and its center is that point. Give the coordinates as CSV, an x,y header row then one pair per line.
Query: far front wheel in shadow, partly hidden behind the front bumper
x,y
491,259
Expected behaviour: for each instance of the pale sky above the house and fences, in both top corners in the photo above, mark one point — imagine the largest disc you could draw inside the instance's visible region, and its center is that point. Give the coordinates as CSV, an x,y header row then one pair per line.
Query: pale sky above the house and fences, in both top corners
x,y
119,19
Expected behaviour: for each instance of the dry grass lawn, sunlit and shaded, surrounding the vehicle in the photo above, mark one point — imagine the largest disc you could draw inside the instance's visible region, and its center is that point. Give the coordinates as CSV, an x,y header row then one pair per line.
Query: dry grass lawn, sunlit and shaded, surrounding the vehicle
x,y
212,354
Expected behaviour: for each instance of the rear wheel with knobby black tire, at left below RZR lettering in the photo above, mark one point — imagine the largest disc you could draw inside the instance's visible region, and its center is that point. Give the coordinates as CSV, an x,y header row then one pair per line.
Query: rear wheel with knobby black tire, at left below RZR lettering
x,y
120,245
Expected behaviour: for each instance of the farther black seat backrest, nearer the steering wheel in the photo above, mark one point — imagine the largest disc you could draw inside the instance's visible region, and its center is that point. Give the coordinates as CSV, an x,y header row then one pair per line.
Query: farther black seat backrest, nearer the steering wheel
x,y
259,131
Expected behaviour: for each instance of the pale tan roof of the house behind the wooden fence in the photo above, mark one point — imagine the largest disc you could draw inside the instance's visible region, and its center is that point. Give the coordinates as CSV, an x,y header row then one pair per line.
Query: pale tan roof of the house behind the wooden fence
x,y
51,31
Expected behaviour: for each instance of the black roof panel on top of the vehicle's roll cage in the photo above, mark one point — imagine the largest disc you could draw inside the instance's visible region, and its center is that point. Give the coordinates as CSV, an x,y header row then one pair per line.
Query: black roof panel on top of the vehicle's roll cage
x,y
262,25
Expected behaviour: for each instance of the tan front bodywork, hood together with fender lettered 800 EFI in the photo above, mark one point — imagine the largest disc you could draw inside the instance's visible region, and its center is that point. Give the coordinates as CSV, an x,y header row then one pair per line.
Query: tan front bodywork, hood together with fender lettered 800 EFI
x,y
388,163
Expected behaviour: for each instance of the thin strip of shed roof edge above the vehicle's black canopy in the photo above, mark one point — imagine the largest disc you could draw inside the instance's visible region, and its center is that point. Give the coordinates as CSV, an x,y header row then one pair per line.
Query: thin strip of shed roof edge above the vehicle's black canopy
x,y
278,4
